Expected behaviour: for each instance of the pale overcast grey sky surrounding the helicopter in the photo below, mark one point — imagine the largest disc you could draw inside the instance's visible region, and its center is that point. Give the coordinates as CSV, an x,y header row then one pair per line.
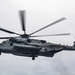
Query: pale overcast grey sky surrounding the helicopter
x,y
38,14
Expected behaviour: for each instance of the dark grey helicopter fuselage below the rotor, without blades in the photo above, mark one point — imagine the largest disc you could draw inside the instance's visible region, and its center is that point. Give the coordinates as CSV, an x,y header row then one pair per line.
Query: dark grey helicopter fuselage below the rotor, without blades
x,y
31,47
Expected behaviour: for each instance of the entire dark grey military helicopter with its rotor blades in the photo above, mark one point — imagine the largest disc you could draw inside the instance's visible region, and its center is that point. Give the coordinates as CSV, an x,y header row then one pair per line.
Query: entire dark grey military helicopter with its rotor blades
x,y
24,45
